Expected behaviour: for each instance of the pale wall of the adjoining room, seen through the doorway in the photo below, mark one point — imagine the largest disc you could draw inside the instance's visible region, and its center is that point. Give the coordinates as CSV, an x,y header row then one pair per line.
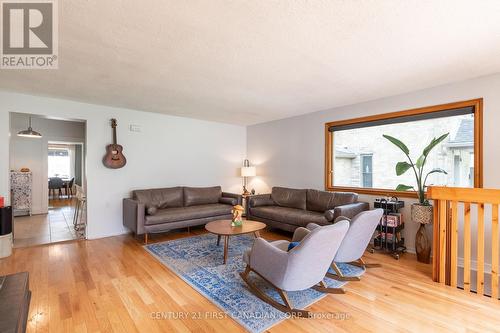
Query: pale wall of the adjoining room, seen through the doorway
x,y
32,153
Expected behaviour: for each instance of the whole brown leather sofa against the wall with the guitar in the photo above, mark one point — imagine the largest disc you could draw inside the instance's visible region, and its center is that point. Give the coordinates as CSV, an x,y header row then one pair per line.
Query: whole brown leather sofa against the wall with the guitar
x,y
164,209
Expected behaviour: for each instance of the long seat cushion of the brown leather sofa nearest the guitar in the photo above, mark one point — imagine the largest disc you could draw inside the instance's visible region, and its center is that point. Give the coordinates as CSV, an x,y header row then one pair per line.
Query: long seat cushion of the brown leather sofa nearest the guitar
x,y
188,213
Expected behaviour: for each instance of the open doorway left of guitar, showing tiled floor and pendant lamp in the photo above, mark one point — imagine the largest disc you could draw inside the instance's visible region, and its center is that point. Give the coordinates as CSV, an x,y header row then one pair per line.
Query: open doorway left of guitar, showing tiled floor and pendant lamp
x,y
48,178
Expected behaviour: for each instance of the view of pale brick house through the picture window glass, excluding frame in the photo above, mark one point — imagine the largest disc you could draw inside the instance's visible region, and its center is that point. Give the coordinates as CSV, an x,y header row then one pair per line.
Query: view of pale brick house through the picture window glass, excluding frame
x,y
363,158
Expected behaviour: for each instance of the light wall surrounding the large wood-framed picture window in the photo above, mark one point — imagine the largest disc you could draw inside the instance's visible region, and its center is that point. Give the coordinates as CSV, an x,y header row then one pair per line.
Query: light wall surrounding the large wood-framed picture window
x,y
290,152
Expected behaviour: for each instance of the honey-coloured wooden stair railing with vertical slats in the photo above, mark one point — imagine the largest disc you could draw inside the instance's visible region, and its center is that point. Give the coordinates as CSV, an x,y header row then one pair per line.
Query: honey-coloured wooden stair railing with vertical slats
x,y
446,236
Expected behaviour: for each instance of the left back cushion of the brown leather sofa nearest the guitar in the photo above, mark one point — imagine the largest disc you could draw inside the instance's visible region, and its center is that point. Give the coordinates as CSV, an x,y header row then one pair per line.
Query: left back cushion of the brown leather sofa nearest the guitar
x,y
160,197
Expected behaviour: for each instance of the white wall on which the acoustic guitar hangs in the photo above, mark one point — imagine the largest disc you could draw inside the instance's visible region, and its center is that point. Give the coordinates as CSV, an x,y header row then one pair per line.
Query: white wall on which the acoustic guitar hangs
x,y
169,151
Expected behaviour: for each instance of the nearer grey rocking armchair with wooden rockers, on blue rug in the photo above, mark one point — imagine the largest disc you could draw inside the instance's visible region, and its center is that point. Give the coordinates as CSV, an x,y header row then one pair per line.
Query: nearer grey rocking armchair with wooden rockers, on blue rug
x,y
303,267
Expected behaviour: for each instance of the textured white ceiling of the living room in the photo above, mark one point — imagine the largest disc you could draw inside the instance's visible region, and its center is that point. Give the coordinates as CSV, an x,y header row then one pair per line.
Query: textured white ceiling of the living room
x,y
252,61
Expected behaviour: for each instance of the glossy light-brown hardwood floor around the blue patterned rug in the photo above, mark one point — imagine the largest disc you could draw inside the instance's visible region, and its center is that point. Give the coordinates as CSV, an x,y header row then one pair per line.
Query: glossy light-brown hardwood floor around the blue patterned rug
x,y
113,285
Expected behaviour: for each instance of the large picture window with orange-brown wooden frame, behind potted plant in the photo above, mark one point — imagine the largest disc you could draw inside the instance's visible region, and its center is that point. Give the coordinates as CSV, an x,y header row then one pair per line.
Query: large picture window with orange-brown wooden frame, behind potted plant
x,y
359,158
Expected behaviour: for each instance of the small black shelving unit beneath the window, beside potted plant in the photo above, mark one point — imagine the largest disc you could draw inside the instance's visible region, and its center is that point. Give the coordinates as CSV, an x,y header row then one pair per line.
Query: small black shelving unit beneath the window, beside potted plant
x,y
382,243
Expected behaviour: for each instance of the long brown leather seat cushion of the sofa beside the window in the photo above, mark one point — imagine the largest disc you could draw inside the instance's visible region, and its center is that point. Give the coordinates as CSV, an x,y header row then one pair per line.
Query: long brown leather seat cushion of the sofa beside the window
x,y
288,215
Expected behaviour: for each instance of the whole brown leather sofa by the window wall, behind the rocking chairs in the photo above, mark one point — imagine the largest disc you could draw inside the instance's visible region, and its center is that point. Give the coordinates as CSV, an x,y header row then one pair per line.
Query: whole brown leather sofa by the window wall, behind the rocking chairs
x,y
288,209
